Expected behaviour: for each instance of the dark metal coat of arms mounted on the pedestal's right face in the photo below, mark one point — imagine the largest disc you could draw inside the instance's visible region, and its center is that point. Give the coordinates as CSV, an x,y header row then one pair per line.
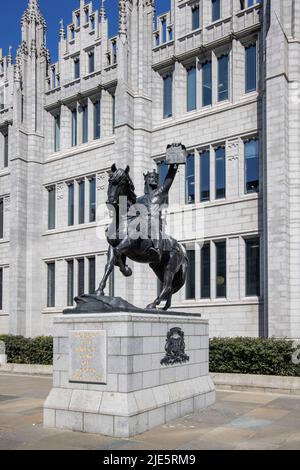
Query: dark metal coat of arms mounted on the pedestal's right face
x,y
175,348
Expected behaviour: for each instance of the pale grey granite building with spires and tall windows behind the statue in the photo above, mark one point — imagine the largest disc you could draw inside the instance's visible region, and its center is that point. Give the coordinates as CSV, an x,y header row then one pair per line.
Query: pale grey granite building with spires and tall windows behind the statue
x,y
222,77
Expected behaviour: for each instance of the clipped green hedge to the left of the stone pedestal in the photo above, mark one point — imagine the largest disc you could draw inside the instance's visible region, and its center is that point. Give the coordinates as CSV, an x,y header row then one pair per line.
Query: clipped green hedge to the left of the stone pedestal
x,y
22,350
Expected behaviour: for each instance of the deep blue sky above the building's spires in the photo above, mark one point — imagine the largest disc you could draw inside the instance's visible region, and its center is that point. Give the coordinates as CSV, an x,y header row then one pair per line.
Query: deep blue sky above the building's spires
x,y
53,11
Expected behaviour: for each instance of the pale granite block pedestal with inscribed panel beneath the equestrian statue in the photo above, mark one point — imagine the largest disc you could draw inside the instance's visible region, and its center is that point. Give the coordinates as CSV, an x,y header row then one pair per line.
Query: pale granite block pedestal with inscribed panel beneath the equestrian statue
x,y
108,377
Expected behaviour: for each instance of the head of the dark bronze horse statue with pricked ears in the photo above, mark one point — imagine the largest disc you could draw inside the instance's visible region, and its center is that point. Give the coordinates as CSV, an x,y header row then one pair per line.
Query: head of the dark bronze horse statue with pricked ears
x,y
120,184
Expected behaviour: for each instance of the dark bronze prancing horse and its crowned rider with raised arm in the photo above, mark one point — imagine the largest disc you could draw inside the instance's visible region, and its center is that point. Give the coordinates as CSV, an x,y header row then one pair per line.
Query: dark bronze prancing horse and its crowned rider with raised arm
x,y
166,257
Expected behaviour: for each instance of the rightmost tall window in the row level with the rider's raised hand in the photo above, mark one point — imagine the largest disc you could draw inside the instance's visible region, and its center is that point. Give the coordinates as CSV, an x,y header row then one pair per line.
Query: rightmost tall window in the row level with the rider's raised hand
x,y
252,166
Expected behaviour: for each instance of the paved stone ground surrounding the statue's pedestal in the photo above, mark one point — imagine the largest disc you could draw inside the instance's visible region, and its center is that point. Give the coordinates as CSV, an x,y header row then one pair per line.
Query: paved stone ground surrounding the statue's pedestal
x,y
237,421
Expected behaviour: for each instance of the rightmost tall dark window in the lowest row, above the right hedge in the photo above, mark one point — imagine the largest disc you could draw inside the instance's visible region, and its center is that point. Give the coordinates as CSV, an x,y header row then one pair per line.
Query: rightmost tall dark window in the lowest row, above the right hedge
x,y
252,267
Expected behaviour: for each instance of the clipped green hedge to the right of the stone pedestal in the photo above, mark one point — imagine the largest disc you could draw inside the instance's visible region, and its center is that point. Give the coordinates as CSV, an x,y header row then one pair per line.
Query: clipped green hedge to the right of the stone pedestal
x,y
252,356
